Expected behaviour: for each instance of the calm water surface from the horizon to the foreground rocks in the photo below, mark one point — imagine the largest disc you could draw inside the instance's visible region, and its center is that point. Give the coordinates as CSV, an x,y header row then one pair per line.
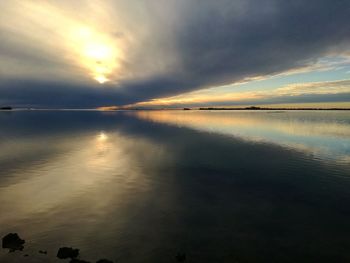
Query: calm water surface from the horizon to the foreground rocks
x,y
143,186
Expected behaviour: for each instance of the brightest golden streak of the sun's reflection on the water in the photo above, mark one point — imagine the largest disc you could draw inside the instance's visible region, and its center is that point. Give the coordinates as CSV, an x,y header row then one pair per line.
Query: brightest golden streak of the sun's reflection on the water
x,y
89,163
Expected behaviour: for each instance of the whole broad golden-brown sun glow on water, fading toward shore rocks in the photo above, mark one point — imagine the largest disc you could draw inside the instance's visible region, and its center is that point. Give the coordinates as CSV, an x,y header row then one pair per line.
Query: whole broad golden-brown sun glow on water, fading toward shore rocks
x,y
77,185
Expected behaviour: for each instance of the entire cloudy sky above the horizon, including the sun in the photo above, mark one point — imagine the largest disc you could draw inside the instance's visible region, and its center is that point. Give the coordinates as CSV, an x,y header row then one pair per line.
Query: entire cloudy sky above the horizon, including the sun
x,y
174,53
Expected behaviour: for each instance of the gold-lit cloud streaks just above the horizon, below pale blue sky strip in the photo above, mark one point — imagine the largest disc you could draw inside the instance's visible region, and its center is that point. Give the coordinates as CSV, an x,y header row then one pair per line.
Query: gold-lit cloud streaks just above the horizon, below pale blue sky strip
x,y
331,91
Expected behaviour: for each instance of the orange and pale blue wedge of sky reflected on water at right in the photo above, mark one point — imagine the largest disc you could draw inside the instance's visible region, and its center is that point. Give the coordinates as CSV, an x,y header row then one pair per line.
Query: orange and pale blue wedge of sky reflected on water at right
x,y
323,134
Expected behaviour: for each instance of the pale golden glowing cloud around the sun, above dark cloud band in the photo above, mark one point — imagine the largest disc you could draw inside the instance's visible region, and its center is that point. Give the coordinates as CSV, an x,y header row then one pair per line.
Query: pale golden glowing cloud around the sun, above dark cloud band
x,y
104,42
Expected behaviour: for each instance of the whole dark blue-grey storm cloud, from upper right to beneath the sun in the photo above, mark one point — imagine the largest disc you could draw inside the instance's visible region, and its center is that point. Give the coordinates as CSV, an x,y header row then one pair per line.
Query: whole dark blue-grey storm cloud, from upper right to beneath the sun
x,y
217,42
